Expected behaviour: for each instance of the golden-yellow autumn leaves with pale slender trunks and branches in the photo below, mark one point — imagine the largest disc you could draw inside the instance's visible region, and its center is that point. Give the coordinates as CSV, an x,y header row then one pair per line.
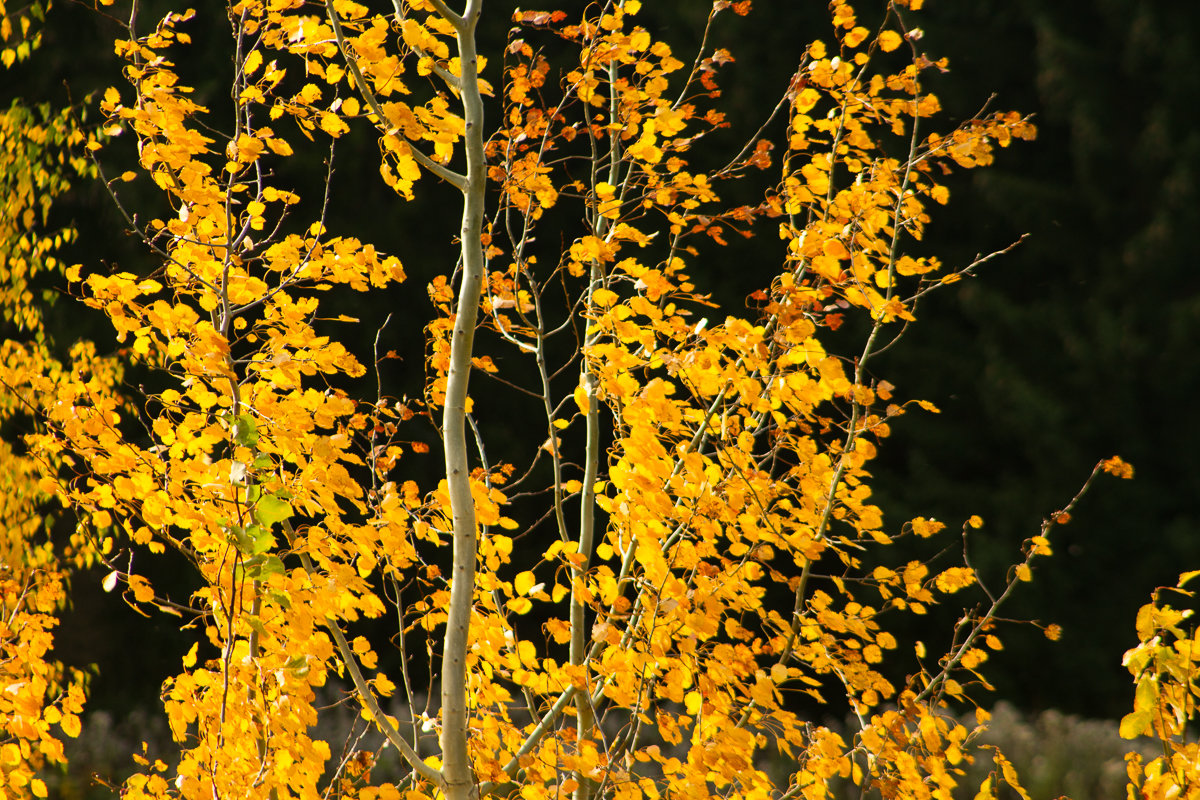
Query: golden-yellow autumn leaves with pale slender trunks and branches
x,y
677,562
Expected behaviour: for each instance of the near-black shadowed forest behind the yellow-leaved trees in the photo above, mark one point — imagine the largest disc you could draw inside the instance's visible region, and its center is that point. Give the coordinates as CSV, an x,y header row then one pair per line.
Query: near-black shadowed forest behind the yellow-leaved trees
x,y
1077,346
